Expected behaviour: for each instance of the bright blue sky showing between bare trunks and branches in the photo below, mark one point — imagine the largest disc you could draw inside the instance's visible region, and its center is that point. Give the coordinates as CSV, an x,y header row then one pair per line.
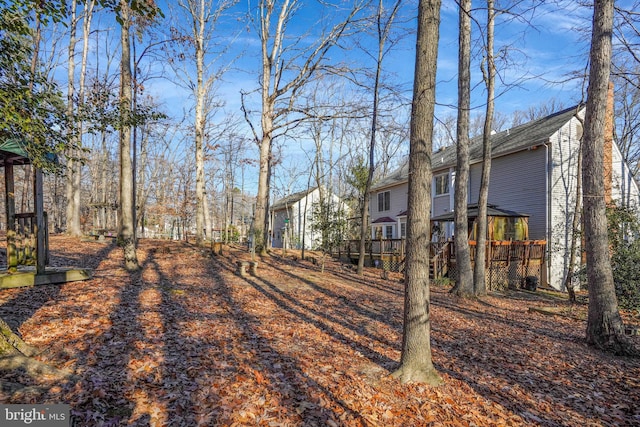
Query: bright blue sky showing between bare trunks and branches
x,y
542,53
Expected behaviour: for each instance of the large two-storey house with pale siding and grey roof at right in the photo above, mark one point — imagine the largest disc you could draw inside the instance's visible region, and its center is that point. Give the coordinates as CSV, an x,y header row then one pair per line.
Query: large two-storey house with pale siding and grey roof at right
x,y
533,171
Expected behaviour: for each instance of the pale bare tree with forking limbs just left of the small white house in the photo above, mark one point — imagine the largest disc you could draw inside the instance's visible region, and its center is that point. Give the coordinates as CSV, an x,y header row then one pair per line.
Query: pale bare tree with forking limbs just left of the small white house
x,y
287,66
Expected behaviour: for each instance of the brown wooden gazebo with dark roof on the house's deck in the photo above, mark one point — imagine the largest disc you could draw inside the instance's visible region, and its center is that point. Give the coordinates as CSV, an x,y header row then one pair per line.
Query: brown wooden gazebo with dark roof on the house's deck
x,y
502,224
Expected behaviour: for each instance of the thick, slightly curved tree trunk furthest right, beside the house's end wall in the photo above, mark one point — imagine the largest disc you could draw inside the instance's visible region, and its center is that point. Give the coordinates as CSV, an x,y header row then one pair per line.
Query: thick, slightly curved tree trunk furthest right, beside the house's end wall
x,y
604,325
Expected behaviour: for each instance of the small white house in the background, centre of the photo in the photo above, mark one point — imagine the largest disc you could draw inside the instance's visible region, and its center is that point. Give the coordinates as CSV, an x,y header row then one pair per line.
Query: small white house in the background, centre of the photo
x,y
292,218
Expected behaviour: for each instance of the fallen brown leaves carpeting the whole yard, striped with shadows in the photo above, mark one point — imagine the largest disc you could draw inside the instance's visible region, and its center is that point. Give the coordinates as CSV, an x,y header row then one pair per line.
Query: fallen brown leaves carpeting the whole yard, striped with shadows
x,y
187,342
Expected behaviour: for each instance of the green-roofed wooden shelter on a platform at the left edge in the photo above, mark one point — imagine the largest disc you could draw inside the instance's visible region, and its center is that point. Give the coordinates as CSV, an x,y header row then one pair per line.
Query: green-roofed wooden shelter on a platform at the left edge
x,y
27,234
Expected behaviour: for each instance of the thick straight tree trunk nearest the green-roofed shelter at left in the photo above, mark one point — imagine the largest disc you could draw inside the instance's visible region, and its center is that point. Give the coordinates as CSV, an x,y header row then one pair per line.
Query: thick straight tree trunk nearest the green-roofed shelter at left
x,y
126,233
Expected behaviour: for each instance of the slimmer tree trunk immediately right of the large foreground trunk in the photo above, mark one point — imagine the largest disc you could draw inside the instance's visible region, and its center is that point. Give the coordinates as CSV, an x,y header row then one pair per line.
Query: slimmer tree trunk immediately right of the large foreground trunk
x,y
464,278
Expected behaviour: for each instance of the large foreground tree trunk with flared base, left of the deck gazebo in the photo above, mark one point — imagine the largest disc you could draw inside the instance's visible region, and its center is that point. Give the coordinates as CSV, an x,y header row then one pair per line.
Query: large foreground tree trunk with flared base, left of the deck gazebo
x,y
416,363
